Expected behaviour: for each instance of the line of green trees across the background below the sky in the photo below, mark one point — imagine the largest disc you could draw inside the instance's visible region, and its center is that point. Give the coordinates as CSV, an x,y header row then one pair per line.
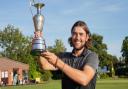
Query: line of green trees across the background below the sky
x,y
17,46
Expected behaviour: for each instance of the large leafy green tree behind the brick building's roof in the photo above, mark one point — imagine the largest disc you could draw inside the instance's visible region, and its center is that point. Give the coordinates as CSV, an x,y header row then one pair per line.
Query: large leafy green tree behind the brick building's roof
x,y
14,44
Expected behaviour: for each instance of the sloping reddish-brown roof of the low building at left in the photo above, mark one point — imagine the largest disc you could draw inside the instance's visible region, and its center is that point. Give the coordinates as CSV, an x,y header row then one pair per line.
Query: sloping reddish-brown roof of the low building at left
x,y
6,63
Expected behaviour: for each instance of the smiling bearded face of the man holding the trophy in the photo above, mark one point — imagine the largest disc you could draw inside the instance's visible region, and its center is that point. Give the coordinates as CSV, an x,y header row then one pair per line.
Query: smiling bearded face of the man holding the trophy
x,y
79,38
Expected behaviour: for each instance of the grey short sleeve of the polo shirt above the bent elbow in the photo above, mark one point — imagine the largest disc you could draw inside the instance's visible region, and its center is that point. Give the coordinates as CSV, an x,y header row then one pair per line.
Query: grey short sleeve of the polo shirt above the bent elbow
x,y
93,60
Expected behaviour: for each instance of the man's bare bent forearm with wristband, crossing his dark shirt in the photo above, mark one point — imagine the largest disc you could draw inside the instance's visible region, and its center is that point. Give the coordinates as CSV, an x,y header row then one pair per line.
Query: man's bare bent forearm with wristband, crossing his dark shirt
x,y
82,77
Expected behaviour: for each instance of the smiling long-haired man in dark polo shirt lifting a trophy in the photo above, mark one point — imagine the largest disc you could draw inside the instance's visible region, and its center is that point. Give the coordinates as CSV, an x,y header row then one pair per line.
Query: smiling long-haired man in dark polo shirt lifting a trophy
x,y
79,66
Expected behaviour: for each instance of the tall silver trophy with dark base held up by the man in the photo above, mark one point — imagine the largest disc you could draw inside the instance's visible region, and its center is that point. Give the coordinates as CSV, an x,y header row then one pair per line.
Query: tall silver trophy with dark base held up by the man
x,y
38,43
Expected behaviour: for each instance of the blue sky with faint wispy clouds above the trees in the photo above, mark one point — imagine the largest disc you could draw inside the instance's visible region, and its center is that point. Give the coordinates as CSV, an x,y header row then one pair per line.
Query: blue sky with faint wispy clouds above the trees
x,y
108,18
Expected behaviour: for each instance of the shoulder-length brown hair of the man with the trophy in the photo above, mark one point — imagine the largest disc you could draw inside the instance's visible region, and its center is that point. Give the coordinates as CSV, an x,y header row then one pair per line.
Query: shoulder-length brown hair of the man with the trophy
x,y
86,29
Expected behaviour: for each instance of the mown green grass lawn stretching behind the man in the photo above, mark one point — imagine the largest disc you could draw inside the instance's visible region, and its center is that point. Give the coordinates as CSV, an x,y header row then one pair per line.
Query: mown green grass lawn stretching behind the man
x,y
101,84
